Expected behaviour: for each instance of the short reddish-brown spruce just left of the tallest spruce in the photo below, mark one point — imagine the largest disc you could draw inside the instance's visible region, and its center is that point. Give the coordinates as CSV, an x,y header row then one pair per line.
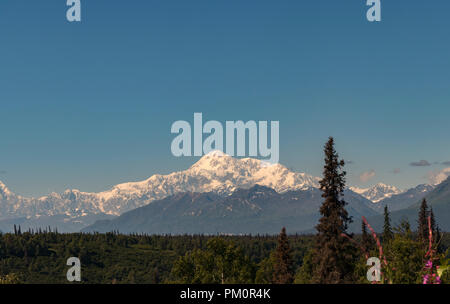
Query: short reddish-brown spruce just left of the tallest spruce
x,y
284,266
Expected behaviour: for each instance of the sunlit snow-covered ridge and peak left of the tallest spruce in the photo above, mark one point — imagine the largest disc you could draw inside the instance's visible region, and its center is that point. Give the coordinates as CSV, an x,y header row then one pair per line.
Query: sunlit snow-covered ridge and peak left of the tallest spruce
x,y
215,172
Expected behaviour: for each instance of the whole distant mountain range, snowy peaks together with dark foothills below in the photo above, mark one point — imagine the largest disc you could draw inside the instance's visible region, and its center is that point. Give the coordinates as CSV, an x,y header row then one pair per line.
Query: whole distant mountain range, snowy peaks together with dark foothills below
x,y
222,179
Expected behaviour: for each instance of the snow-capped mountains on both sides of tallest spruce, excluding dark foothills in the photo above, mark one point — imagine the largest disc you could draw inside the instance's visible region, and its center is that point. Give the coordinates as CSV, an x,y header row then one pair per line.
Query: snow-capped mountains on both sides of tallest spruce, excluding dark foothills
x,y
215,173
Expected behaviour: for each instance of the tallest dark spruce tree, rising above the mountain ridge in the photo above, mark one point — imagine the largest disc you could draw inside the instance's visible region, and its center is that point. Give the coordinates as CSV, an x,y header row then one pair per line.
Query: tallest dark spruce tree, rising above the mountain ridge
x,y
335,255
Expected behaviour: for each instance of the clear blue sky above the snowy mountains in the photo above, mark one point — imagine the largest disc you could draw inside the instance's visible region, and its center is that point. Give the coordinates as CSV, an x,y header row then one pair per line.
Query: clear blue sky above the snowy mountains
x,y
90,105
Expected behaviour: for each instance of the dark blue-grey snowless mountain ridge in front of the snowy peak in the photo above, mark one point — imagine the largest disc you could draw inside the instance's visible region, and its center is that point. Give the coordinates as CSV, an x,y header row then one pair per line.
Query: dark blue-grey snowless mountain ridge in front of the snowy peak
x,y
257,210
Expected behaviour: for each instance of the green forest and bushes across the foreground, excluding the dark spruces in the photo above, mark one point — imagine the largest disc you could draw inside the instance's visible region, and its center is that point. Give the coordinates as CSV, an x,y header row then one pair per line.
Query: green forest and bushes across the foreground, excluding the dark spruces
x,y
114,258
